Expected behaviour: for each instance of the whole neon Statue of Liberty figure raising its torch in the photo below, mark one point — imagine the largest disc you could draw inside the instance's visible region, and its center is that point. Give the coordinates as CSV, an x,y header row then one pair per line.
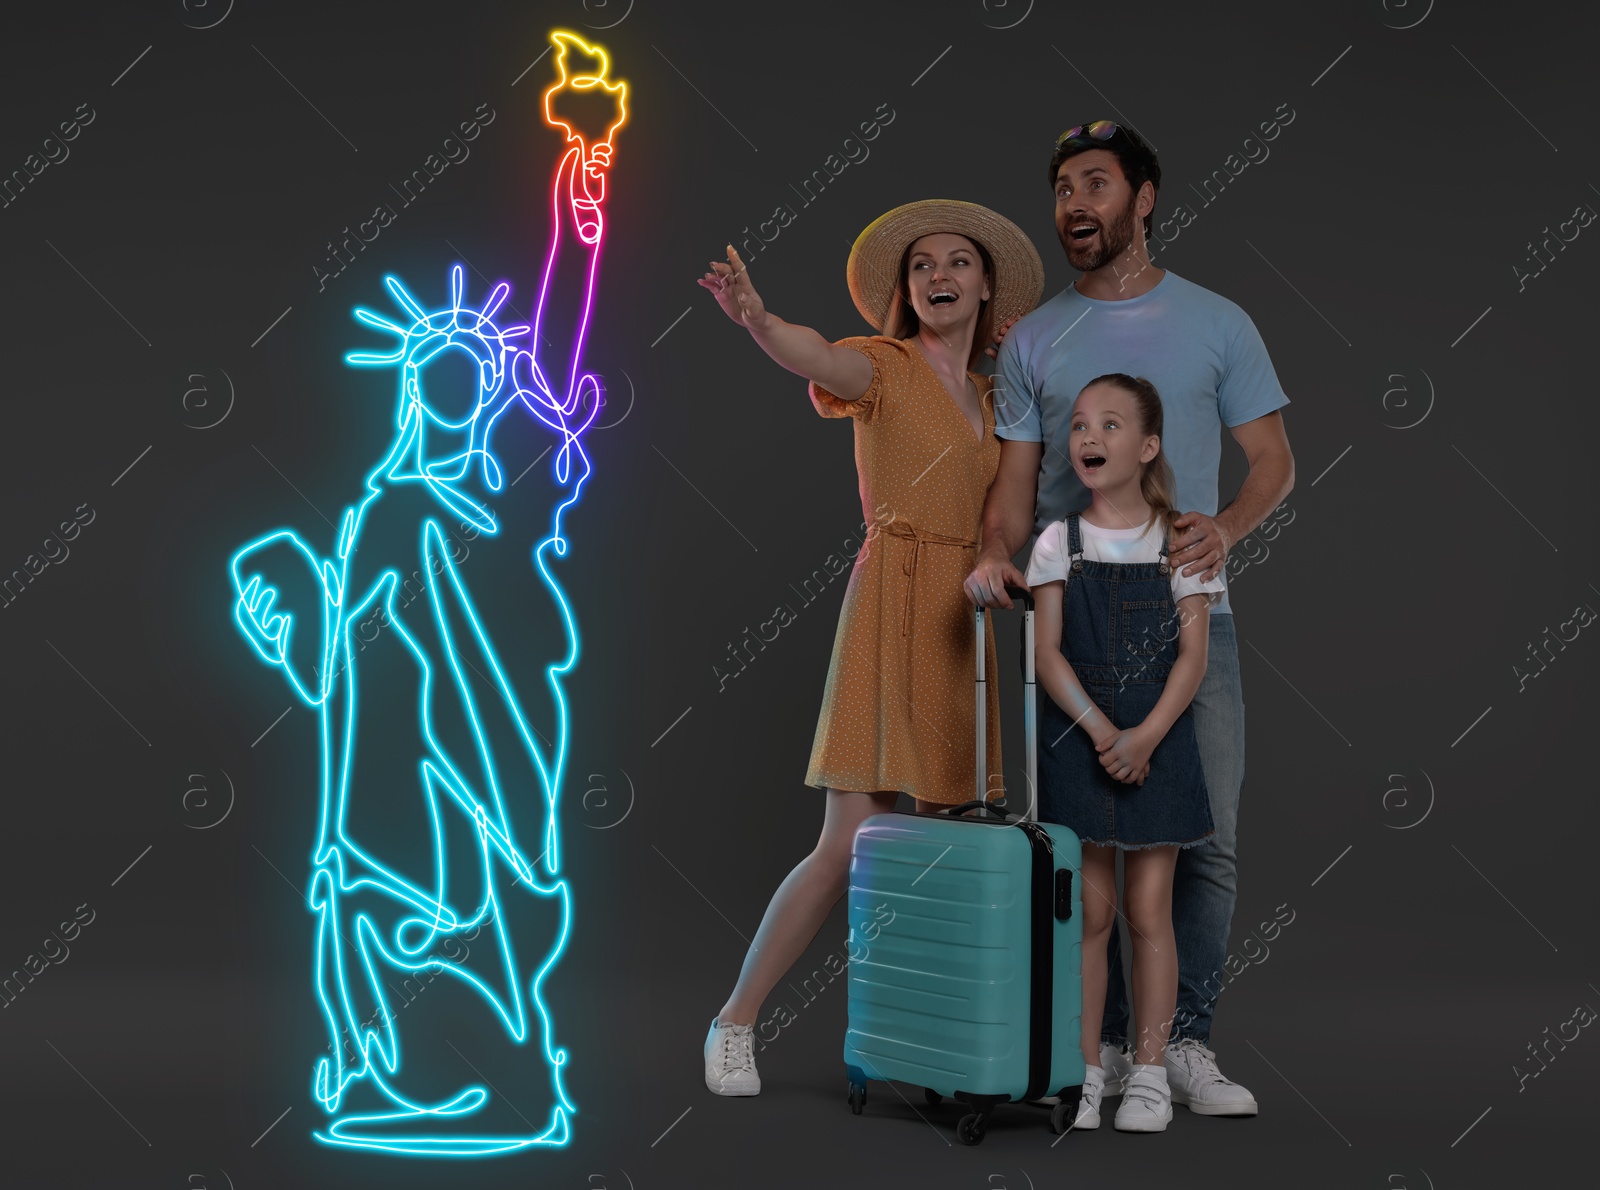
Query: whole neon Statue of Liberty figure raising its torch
x,y
438,865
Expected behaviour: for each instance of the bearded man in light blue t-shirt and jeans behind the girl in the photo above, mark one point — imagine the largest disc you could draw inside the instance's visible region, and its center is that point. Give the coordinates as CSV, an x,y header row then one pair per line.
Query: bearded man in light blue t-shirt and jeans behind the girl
x,y
1210,367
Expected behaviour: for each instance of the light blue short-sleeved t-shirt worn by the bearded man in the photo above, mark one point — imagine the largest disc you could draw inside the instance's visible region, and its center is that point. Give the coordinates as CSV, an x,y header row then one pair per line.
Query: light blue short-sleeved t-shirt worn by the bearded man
x,y
1199,349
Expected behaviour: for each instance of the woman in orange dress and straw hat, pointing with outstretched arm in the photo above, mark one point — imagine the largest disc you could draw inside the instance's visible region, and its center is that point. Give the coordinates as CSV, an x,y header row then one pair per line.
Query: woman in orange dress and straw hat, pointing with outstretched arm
x,y
898,711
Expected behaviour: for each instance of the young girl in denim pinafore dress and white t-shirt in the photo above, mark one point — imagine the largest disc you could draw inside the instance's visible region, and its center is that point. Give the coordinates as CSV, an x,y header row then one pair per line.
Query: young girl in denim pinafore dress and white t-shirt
x,y
1121,650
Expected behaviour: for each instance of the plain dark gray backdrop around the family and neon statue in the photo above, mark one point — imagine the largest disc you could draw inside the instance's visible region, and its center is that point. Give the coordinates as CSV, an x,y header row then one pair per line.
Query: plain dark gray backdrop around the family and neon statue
x,y
1428,823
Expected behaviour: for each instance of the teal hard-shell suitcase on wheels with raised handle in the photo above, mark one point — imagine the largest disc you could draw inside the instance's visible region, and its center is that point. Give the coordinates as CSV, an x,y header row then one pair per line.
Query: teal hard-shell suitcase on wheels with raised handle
x,y
966,951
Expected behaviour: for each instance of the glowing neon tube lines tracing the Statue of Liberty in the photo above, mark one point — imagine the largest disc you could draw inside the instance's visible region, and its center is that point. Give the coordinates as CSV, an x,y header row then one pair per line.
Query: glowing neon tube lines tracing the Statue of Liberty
x,y
340,866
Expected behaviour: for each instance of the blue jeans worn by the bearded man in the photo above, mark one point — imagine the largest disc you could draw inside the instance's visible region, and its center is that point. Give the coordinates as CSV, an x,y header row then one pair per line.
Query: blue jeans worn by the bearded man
x,y
1206,884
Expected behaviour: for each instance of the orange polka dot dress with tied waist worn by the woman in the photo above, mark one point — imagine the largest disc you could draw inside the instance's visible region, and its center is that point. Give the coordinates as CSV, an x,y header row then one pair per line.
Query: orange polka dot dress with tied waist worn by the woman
x,y
898,709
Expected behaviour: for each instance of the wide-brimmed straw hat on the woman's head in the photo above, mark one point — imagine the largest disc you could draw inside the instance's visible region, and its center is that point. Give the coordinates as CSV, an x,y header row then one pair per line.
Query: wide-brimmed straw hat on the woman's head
x,y
873,271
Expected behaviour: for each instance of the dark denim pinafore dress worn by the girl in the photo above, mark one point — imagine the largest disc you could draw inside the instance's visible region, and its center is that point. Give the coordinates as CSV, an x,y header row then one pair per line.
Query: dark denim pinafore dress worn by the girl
x,y
1121,637
